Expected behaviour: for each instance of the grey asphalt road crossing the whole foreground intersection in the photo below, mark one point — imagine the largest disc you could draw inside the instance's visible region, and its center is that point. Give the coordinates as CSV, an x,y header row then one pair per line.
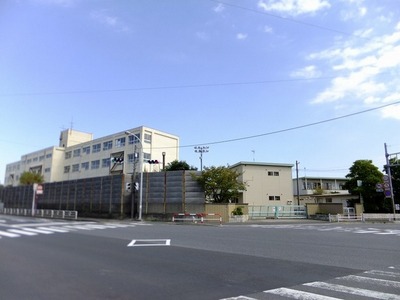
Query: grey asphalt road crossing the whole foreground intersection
x,y
128,260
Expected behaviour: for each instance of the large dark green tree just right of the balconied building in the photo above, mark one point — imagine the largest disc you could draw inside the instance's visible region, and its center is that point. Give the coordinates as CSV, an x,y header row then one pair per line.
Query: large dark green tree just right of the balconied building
x,y
369,176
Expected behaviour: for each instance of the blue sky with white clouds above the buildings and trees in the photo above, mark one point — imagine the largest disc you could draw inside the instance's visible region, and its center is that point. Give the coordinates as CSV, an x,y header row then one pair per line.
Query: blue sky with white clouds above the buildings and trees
x,y
209,72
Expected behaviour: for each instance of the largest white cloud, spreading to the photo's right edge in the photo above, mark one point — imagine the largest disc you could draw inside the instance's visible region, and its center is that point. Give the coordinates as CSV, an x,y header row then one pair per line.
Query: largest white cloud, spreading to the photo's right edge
x,y
366,72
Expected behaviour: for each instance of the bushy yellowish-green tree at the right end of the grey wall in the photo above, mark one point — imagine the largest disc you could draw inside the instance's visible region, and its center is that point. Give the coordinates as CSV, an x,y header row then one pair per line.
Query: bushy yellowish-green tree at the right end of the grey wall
x,y
221,184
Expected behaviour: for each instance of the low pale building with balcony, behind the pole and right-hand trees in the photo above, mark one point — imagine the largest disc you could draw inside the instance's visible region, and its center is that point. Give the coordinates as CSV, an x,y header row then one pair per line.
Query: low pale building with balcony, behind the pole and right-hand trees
x,y
321,190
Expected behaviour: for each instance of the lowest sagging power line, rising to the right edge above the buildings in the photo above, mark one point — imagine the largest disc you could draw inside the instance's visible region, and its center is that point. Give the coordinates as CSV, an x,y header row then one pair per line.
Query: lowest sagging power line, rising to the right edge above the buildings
x,y
294,128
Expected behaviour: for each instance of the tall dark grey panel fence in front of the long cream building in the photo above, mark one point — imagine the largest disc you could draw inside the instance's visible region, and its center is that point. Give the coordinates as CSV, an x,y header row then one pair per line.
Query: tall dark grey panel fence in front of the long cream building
x,y
163,193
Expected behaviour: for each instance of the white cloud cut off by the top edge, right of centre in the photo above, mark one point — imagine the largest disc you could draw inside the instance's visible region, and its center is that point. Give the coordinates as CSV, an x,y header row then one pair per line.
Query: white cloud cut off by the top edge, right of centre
x,y
294,7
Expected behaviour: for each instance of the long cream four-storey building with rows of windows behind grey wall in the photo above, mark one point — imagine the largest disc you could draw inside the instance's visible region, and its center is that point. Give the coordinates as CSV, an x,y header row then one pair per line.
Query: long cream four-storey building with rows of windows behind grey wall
x,y
80,156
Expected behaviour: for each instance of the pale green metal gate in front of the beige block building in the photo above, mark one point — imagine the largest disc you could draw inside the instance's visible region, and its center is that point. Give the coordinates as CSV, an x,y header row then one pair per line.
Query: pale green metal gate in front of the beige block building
x,y
277,212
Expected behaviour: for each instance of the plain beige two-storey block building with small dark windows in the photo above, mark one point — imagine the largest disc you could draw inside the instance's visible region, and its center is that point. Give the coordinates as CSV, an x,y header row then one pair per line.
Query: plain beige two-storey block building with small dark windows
x,y
267,183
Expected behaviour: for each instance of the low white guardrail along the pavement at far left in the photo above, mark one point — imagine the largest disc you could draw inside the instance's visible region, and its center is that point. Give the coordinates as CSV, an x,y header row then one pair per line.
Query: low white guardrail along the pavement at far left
x,y
43,213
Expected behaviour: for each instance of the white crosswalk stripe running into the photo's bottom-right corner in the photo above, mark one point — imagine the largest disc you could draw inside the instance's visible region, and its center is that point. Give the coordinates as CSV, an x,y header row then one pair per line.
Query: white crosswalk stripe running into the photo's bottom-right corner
x,y
353,291
